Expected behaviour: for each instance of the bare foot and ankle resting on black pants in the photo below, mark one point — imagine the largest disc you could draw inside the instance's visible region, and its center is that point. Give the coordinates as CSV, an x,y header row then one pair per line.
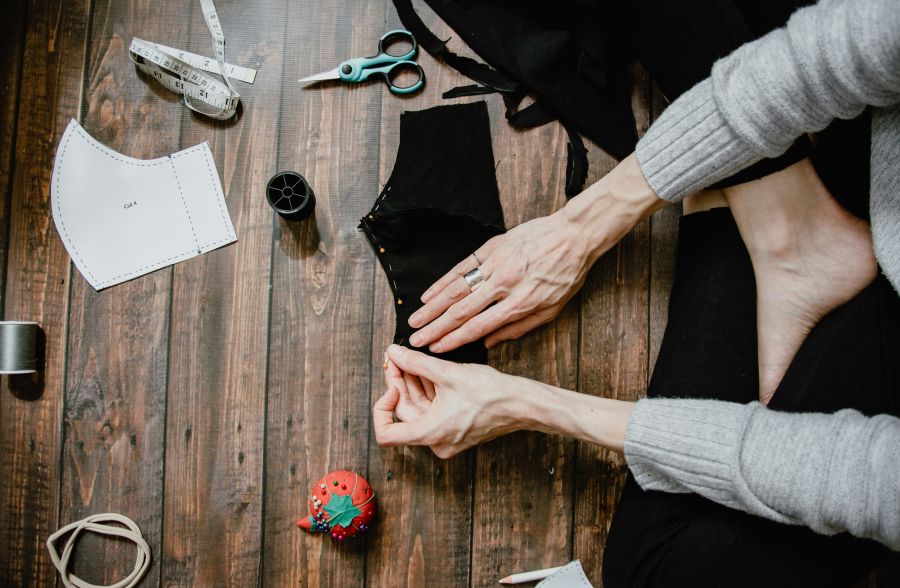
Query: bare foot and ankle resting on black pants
x,y
809,256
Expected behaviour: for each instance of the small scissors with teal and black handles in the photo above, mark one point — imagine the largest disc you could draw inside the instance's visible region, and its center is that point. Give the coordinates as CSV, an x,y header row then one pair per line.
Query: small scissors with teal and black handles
x,y
385,64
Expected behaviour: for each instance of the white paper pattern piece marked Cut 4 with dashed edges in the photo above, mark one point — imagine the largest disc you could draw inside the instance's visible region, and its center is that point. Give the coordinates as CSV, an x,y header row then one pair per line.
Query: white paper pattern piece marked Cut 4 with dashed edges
x,y
121,217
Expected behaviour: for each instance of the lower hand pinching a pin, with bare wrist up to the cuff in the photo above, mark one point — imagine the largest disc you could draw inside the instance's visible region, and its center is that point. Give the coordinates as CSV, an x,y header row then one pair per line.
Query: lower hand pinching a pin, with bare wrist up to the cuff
x,y
451,407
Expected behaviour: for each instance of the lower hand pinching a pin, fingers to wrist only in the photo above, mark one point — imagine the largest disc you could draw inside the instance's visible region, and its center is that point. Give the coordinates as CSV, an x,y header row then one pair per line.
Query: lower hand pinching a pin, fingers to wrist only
x,y
446,406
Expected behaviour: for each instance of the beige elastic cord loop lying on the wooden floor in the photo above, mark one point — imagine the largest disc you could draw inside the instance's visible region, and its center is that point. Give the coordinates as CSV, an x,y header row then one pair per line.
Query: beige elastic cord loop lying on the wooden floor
x,y
95,524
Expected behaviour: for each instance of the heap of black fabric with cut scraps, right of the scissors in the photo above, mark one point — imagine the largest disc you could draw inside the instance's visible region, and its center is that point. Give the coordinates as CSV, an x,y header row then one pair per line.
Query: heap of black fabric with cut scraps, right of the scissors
x,y
559,51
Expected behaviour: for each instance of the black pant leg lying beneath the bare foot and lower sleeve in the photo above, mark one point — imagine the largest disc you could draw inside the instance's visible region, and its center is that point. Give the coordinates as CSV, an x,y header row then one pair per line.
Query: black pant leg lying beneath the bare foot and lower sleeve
x,y
709,351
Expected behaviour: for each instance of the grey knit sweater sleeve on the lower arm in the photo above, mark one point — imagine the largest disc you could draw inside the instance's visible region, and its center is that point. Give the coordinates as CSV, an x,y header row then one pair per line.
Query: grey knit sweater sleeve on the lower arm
x,y
831,472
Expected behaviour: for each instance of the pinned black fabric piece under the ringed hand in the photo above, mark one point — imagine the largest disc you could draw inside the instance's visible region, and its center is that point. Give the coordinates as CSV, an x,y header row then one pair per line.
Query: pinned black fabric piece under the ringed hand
x,y
439,205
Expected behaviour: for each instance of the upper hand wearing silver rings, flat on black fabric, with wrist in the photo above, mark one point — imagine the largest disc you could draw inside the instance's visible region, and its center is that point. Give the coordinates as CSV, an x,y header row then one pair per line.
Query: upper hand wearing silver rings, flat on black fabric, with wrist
x,y
534,269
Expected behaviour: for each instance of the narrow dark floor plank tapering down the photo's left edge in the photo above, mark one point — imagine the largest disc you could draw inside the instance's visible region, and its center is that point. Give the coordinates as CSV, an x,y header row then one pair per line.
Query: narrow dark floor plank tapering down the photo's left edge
x,y
12,49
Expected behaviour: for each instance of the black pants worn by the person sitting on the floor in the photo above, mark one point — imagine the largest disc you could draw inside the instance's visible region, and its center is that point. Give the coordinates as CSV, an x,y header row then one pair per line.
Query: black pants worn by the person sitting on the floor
x,y
709,349
